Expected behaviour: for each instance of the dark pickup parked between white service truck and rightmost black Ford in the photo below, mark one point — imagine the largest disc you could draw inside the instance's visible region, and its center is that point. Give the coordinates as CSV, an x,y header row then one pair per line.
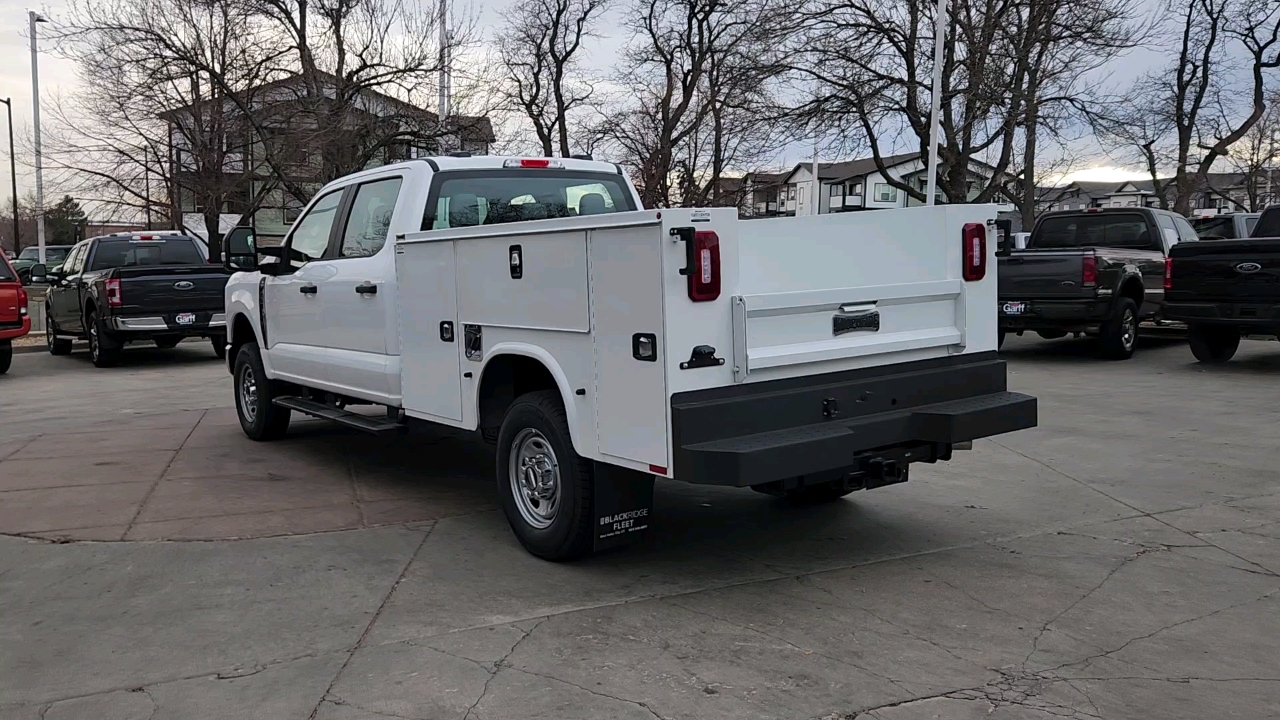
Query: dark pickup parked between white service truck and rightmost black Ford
x,y
1096,271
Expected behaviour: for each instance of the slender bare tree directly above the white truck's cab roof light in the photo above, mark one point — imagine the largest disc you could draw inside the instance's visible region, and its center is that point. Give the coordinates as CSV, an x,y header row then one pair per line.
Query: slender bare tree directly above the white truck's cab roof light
x,y
541,54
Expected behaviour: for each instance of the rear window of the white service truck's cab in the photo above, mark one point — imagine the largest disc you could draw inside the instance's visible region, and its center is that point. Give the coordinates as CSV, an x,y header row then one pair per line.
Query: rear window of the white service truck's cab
x,y
491,198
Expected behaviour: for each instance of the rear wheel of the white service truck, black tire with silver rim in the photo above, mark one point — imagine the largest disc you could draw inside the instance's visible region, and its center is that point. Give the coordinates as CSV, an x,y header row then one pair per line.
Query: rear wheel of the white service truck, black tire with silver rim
x,y
554,523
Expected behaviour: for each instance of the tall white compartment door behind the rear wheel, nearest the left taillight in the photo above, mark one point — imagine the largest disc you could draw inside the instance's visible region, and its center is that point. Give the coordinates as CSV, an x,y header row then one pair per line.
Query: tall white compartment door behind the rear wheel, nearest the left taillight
x,y
627,299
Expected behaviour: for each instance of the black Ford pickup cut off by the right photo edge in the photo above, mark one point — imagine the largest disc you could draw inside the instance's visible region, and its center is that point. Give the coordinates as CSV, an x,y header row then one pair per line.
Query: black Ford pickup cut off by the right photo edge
x,y
1227,290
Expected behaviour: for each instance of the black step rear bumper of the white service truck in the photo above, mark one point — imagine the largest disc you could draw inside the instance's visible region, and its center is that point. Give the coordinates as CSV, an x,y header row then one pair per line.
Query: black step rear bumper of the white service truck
x,y
843,423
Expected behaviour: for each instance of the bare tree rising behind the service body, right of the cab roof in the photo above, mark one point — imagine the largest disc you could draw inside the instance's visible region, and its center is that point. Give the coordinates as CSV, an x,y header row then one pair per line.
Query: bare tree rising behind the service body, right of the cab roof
x,y
700,76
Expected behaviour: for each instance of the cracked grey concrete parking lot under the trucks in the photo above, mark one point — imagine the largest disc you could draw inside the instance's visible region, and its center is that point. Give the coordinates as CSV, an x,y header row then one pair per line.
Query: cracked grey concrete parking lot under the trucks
x,y
1121,560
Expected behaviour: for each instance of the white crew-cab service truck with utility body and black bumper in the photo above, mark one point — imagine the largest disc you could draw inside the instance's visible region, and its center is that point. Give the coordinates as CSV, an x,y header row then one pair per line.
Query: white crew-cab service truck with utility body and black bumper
x,y
601,345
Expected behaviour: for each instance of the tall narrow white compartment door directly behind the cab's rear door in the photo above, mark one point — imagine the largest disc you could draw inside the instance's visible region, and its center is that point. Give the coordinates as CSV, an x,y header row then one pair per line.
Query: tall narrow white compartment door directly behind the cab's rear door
x,y
429,335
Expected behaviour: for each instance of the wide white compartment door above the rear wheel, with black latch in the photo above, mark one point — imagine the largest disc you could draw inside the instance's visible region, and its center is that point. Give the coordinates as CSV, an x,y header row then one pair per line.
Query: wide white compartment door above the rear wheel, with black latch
x,y
551,295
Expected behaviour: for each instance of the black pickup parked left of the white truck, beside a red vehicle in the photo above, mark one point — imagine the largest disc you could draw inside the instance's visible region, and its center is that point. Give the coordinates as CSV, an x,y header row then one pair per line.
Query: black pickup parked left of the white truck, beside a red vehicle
x,y
134,288
